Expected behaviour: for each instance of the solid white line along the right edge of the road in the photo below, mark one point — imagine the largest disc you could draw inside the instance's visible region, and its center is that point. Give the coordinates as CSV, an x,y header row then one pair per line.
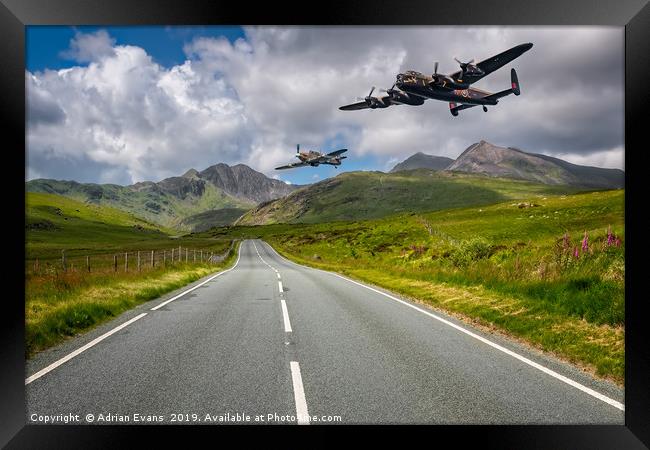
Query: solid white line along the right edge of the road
x,y
570,382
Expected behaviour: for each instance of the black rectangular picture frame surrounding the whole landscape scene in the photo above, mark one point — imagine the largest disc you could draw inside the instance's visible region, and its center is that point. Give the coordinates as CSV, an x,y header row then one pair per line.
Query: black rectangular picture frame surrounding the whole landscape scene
x,y
634,15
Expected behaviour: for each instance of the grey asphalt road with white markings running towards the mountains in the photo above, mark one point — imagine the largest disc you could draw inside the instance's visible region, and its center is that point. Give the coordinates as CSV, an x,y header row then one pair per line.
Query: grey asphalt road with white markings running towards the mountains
x,y
270,341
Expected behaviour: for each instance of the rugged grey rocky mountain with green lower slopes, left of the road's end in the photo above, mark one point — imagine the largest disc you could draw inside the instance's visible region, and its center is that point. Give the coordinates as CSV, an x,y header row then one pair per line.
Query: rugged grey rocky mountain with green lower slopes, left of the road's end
x,y
186,202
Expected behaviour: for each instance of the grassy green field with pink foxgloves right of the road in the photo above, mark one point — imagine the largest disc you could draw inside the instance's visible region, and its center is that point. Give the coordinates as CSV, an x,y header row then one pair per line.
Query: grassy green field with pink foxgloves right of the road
x,y
506,267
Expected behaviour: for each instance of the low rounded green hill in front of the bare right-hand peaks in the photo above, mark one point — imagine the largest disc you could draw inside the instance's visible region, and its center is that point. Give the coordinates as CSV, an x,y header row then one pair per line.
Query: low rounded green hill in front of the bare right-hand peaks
x,y
368,195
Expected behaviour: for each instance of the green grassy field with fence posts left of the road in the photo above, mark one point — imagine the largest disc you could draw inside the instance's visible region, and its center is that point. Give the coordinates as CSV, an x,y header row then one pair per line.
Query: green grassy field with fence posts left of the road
x,y
63,301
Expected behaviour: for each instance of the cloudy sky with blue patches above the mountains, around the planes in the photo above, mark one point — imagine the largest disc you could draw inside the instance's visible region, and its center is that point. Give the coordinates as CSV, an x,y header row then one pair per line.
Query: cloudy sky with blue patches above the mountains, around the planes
x,y
128,104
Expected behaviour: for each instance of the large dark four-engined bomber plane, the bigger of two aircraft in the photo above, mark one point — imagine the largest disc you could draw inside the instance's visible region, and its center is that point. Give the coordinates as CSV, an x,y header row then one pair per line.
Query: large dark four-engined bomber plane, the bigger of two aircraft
x,y
414,87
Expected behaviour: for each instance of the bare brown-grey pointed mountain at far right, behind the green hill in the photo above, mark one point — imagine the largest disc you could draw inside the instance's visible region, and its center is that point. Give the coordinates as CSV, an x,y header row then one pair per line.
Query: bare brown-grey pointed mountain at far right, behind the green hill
x,y
492,160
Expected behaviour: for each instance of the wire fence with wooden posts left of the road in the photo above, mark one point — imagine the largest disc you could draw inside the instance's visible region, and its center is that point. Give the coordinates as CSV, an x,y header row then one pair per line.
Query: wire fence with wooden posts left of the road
x,y
127,261
